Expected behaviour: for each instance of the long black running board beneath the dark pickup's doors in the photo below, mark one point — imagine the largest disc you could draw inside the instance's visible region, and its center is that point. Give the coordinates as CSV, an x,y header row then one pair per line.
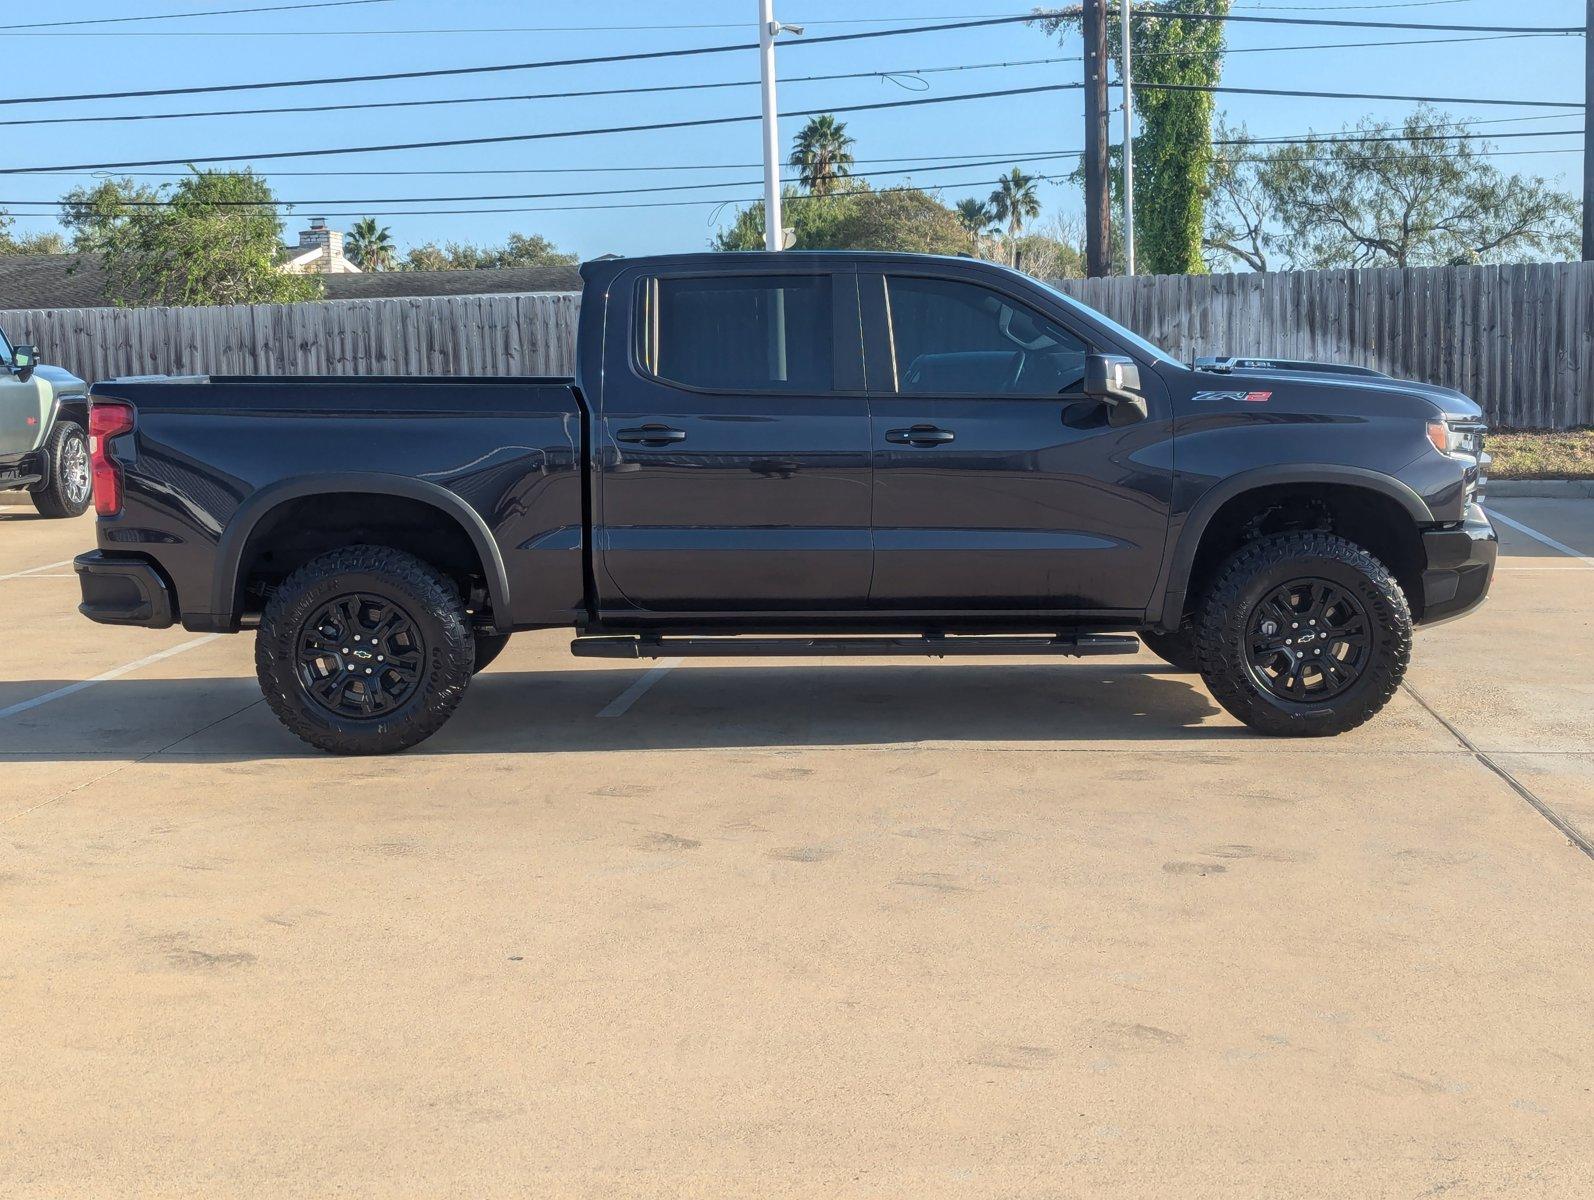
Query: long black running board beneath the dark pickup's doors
x,y
847,648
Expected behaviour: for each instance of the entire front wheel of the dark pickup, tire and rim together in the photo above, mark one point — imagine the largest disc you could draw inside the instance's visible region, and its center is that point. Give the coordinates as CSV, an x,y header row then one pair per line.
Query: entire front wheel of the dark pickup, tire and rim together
x,y
1305,635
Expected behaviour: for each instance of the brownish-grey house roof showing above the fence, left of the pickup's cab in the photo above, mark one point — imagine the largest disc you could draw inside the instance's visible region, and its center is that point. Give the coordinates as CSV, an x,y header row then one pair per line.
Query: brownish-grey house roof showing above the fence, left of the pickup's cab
x,y
77,281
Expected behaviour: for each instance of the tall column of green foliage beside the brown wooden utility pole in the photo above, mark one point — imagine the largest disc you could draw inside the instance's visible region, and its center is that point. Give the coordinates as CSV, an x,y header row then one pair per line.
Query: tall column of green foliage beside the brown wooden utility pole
x,y
1174,149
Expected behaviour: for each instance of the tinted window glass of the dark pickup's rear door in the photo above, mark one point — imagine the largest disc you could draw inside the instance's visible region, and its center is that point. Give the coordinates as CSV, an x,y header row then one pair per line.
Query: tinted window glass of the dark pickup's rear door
x,y
739,334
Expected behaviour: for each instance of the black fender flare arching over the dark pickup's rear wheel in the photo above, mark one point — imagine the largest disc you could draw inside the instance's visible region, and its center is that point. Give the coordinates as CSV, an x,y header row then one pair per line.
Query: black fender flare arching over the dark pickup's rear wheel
x,y
227,587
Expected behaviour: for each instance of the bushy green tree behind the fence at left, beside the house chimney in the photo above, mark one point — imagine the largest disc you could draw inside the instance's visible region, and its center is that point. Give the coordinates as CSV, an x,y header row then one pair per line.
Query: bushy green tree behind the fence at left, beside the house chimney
x,y
214,238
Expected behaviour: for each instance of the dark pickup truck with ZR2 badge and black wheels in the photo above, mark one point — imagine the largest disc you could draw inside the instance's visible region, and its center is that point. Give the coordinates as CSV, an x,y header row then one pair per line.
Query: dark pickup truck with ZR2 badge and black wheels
x,y
799,455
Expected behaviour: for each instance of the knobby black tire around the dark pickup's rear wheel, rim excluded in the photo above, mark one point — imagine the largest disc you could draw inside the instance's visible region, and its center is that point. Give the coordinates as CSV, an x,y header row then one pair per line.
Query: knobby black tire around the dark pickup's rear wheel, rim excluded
x,y
426,597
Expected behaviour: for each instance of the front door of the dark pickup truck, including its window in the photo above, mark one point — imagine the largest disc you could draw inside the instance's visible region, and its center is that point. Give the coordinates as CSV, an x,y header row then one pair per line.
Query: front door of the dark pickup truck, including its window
x,y
999,487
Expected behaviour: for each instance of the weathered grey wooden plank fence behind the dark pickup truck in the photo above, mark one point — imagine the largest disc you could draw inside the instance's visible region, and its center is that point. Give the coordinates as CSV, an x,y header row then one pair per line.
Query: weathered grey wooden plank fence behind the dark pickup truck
x,y
1517,339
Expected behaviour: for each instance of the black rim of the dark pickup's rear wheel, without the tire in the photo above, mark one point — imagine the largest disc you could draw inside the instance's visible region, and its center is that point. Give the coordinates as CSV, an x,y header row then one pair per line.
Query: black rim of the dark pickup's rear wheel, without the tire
x,y
361,657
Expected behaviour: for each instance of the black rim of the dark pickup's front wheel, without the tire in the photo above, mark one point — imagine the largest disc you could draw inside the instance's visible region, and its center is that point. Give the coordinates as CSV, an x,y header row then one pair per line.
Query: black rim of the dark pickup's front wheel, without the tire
x,y
1308,641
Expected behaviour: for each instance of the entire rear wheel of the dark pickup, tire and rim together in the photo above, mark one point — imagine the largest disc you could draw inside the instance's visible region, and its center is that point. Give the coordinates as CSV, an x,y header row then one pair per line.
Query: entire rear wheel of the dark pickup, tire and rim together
x,y
364,651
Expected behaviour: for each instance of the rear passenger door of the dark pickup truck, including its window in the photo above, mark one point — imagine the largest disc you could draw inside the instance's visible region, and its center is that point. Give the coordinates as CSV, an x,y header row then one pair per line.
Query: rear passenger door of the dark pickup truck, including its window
x,y
734,444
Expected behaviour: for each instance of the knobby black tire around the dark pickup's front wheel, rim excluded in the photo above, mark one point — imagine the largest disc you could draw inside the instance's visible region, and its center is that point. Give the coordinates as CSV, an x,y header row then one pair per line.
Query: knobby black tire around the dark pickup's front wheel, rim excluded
x,y
1247,579
